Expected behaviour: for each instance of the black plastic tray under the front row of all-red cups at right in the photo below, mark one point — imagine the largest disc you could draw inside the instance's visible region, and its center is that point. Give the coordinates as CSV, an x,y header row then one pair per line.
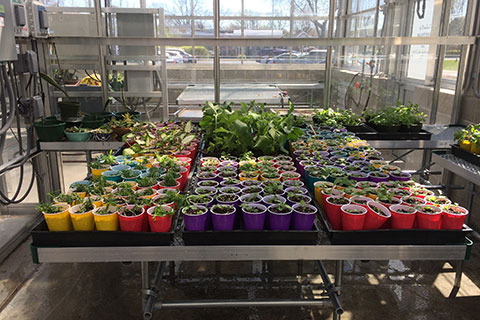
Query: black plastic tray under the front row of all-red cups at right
x,y
394,236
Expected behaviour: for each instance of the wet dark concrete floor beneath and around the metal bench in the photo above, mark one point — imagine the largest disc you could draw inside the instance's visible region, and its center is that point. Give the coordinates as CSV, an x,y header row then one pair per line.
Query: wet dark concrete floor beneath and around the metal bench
x,y
372,290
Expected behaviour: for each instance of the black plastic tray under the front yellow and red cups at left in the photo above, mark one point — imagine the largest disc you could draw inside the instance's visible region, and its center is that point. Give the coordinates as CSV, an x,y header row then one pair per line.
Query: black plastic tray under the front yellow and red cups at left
x,y
43,238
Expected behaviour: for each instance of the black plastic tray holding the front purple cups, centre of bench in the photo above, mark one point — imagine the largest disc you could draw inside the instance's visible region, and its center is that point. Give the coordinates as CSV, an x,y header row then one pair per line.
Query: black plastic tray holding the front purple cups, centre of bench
x,y
246,237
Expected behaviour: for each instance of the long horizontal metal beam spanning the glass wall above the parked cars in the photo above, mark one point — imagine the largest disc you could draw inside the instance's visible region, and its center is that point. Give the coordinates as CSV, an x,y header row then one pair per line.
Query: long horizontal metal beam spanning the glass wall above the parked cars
x,y
369,41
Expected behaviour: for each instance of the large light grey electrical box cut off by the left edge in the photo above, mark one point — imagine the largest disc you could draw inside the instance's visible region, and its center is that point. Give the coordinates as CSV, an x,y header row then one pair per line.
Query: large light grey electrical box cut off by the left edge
x,y
8,49
